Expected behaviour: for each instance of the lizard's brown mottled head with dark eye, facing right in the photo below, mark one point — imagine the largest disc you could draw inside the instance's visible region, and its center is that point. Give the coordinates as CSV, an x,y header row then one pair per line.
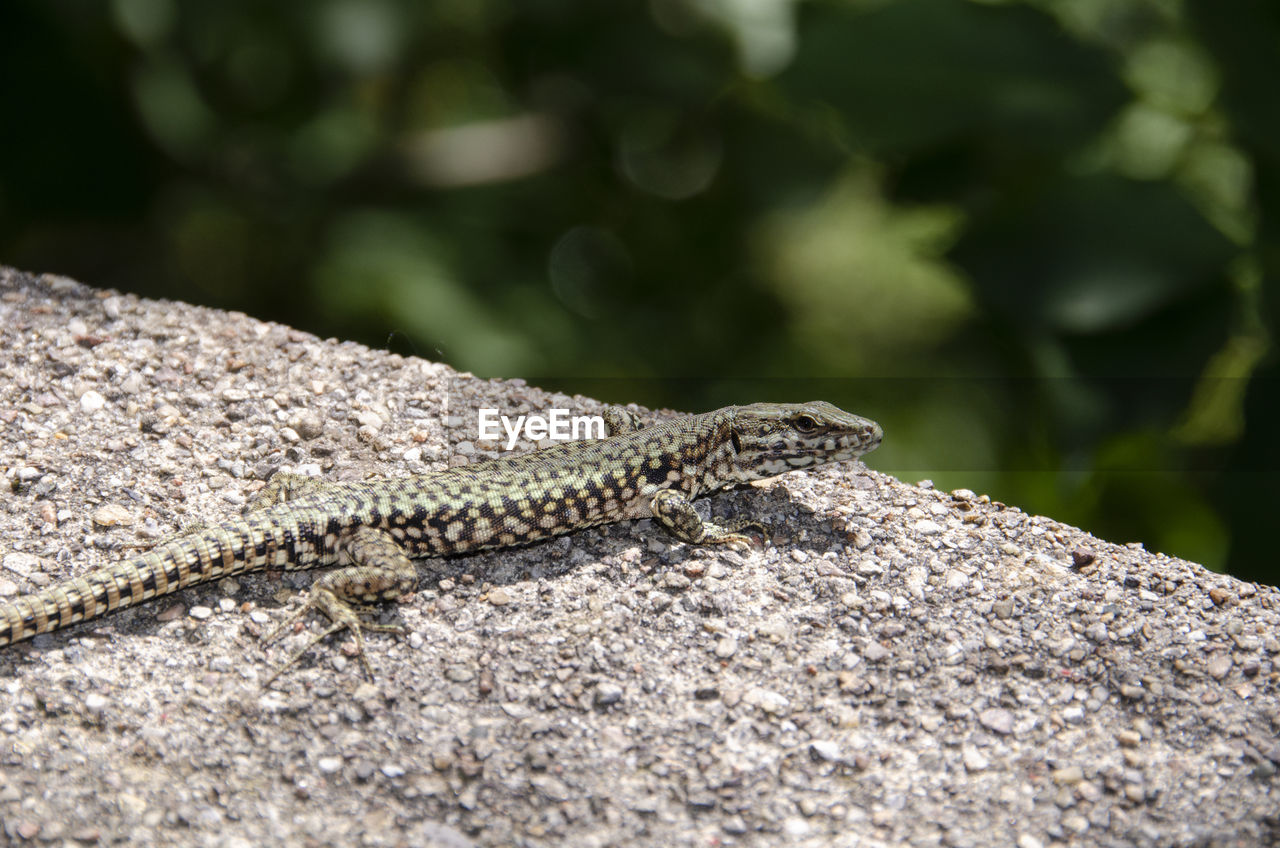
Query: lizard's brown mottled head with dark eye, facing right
x,y
771,439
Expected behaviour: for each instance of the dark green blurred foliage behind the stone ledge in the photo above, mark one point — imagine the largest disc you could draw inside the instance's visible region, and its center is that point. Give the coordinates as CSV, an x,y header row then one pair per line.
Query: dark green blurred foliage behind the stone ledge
x,y
1037,240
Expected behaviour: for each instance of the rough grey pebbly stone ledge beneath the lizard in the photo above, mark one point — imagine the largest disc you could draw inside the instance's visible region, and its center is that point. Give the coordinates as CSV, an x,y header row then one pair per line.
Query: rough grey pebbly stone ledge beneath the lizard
x,y
899,667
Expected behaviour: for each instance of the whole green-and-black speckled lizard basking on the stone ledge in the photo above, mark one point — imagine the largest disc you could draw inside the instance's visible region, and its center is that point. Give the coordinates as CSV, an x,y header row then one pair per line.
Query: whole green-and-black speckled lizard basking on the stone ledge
x,y
377,528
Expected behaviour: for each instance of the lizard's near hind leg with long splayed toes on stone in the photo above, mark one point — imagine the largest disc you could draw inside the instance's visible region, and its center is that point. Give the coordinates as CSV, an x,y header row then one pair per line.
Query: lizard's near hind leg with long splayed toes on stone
x,y
381,571
